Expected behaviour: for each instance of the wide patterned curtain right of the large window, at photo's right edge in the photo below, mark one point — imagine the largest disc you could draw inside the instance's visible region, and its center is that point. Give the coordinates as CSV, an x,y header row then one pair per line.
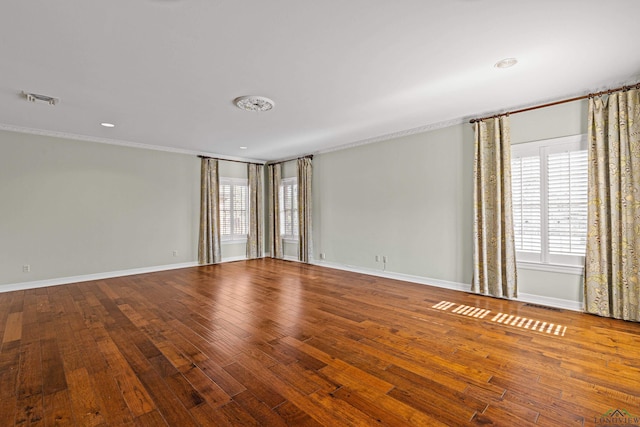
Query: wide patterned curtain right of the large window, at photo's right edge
x,y
612,267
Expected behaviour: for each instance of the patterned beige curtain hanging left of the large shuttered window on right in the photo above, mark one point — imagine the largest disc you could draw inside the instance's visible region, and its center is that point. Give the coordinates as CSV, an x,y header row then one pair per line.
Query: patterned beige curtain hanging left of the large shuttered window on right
x,y
494,254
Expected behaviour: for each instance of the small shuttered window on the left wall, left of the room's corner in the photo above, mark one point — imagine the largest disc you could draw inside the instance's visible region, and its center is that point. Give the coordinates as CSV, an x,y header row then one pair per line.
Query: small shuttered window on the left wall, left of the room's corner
x,y
234,204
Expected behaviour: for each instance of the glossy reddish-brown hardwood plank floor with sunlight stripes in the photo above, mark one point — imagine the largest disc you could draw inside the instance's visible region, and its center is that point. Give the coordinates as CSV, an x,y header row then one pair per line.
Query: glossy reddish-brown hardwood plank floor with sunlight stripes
x,y
273,343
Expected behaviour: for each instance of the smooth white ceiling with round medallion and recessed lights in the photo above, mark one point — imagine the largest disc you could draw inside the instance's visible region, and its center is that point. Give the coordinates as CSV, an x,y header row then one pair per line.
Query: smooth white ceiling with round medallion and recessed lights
x,y
166,72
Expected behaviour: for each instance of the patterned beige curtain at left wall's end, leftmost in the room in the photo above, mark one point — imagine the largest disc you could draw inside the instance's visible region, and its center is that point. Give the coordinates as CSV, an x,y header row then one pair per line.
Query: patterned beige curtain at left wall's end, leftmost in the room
x,y
209,250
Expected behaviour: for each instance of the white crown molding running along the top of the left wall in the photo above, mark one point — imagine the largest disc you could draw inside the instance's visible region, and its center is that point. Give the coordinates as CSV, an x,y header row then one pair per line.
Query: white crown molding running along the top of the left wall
x,y
122,143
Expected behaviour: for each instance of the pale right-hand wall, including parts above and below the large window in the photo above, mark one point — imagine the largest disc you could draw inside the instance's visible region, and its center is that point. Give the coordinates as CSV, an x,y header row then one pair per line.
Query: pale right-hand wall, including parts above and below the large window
x,y
410,199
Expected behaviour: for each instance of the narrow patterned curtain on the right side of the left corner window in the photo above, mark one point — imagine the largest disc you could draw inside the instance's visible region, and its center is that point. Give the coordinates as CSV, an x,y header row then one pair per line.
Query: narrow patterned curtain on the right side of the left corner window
x,y
255,237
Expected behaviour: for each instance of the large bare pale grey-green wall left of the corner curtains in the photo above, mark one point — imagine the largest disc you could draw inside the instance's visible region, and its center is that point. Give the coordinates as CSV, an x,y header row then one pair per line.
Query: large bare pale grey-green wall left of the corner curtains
x,y
70,208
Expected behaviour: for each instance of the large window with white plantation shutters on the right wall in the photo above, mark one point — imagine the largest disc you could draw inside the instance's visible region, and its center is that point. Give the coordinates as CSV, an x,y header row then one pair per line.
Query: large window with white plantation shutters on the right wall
x,y
549,195
